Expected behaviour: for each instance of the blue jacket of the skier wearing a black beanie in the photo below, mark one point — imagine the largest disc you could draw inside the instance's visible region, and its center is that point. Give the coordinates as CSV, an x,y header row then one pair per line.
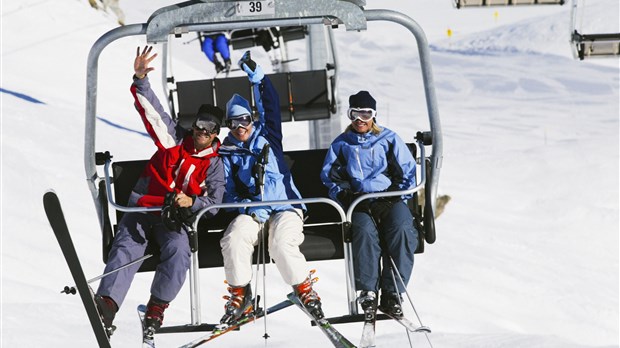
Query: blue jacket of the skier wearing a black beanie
x,y
368,163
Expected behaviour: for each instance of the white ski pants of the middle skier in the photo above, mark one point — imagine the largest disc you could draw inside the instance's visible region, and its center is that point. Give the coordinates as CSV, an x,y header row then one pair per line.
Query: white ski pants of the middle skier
x,y
285,235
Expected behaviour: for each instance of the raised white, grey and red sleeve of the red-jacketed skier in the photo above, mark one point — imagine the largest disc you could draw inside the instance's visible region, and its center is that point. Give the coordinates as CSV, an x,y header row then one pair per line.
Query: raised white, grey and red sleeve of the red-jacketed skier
x,y
158,123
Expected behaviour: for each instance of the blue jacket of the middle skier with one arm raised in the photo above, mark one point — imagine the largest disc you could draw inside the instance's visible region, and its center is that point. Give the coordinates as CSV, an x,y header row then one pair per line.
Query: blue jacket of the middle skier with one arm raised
x,y
240,158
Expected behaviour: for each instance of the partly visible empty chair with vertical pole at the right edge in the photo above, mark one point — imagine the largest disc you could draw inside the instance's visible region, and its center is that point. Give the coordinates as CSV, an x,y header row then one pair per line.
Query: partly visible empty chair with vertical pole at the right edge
x,y
591,45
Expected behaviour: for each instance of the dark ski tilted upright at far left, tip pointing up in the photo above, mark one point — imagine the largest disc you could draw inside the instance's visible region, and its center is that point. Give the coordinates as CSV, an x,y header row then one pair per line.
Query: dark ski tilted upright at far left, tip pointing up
x,y
54,213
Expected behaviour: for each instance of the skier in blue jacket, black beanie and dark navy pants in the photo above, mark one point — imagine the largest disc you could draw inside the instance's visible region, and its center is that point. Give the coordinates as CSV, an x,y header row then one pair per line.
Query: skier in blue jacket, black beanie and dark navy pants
x,y
368,158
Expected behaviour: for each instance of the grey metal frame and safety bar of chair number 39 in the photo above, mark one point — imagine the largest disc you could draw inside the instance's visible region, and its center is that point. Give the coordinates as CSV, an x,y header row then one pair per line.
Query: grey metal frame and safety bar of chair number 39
x,y
215,15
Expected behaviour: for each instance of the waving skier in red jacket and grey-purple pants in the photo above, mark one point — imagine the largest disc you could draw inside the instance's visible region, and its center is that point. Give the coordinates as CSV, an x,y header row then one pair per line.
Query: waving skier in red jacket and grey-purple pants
x,y
186,174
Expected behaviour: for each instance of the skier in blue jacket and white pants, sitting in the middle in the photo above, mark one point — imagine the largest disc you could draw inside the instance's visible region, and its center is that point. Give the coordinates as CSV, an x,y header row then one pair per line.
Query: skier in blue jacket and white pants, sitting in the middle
x,y
241,151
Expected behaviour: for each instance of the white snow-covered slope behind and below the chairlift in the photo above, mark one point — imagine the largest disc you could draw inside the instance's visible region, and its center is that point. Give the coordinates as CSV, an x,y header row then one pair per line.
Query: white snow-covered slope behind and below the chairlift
x,y
527,250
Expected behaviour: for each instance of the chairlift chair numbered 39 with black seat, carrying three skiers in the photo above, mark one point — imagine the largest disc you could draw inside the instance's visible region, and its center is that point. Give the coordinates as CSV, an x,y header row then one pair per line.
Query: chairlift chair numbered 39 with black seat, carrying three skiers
x,y
326,225
